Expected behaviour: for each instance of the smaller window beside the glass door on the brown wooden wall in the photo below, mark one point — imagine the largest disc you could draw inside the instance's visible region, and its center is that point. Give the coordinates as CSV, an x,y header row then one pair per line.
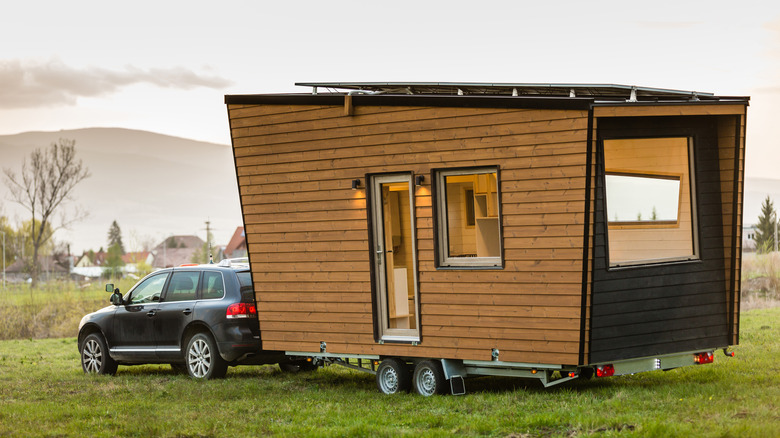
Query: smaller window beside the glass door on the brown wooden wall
x,y
468,215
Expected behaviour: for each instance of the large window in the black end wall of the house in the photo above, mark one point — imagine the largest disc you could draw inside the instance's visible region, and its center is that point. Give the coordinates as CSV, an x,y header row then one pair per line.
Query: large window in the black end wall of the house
x,y
650,200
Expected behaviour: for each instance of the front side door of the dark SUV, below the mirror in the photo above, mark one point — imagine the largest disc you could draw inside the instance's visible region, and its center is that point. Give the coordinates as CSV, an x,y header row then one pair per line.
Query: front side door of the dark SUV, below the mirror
x,y
133,321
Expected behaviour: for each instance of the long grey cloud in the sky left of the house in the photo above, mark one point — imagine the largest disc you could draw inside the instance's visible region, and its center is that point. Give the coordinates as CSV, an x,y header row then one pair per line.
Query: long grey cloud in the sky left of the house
x,y
52,83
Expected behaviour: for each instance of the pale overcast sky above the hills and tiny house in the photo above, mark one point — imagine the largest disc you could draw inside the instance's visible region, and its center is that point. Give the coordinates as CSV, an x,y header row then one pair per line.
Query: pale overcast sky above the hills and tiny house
x,y
164,66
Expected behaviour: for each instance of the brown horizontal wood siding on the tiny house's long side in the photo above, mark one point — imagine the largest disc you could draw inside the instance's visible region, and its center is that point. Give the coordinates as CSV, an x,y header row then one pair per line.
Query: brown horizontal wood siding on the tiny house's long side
x,y
307,232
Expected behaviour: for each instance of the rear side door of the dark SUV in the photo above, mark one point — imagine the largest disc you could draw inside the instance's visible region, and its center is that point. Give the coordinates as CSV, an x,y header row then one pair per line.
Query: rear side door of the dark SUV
x,y
175,312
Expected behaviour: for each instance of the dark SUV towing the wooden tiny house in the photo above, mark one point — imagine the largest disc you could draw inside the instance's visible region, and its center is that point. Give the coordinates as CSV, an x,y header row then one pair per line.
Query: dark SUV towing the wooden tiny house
x,y
199,318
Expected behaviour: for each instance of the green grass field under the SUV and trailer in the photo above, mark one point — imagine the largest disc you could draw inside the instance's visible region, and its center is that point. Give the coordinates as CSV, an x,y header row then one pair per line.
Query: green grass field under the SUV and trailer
x,y
43,392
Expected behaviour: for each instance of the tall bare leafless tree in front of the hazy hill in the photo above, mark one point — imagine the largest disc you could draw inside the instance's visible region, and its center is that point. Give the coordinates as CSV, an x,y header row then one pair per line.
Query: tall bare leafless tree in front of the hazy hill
x,y
44,184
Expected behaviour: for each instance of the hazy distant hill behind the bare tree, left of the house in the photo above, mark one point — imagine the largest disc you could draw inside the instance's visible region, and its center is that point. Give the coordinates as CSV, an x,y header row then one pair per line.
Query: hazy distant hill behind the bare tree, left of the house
x,y
153,185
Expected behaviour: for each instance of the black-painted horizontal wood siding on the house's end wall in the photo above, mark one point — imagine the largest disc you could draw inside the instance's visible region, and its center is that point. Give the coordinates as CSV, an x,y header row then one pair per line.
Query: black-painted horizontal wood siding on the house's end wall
x,y
667,308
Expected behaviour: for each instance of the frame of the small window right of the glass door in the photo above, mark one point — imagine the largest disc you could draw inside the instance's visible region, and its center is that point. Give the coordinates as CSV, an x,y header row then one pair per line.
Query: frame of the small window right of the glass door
x,y
441,222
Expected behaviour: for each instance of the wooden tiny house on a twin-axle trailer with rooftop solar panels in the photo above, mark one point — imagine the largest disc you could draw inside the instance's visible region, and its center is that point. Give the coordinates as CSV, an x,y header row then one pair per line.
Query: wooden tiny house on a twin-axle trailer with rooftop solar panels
x,y
429,232
